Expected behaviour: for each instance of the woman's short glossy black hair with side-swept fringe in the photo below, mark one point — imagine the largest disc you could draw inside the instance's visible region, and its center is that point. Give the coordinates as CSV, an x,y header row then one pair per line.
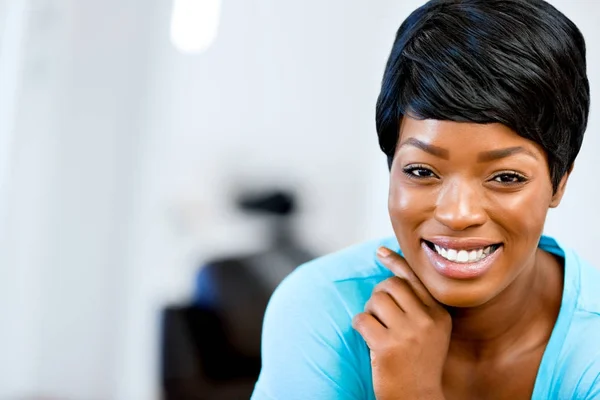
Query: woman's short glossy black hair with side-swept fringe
x,y
521,63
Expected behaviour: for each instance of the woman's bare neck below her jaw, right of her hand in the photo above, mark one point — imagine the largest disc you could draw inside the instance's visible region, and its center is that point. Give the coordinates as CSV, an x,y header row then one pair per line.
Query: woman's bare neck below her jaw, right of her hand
x,y
518,320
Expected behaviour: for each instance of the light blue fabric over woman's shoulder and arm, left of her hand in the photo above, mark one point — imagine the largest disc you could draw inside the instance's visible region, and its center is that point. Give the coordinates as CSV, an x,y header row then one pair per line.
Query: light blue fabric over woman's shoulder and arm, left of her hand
x,y
309,345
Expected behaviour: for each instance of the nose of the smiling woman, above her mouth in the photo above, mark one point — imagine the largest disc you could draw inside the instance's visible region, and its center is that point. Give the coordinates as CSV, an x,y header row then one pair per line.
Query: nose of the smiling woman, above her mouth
x,y
460,206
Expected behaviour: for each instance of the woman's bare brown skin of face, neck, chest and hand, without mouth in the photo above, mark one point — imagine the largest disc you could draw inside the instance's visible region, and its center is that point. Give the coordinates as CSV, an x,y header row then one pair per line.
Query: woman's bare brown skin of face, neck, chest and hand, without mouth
x,y
432,336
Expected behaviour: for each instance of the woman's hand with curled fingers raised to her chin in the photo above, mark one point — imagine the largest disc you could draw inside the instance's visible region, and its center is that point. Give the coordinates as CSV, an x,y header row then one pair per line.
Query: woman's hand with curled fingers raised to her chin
x,y
408,333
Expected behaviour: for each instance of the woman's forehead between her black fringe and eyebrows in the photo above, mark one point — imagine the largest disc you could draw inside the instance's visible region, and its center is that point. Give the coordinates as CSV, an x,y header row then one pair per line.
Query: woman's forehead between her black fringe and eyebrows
x,y
464,137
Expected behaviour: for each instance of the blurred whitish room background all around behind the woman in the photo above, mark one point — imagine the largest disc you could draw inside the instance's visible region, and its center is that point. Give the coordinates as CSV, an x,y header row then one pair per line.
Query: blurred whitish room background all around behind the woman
x,y
164,164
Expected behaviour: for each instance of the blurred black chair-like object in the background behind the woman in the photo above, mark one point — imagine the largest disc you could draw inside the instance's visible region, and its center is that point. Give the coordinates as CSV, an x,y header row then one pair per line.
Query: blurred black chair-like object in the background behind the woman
x,y
211,348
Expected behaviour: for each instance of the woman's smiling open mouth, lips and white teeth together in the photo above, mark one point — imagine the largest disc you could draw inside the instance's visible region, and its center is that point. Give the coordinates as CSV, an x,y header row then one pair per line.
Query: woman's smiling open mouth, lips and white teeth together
x,y
462,259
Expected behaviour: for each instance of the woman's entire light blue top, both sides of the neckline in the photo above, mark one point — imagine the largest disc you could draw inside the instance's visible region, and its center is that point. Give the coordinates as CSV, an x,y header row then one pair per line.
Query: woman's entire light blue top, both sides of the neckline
x,y
311,351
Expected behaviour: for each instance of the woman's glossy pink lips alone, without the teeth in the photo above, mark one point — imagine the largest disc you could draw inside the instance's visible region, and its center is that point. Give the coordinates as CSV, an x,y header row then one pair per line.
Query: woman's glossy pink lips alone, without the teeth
x,y
455,270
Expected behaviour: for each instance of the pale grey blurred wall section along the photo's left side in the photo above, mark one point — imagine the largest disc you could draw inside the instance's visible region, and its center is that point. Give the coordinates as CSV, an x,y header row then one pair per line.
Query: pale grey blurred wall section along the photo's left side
x,y
83,74
